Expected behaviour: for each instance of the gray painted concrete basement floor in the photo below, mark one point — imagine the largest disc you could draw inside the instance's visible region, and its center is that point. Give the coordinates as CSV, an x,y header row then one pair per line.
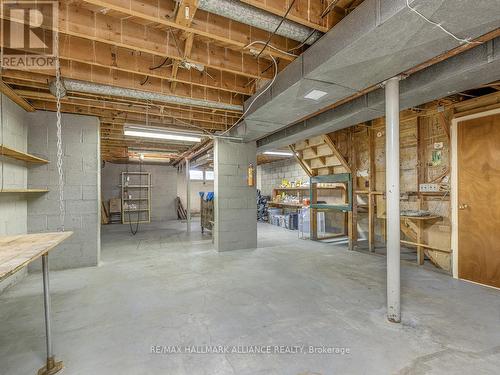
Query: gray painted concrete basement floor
x,y
163,288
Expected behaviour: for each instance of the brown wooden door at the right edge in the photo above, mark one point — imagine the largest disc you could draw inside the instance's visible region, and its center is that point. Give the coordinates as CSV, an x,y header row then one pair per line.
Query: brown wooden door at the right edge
x,y
479,200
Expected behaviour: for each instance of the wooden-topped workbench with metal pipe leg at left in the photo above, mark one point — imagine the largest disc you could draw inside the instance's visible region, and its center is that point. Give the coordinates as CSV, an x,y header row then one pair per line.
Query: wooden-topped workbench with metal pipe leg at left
x,y
17,252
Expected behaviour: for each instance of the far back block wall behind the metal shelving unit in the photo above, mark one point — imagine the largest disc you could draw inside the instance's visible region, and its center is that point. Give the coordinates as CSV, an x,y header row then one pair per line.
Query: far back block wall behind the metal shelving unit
x,y
163,191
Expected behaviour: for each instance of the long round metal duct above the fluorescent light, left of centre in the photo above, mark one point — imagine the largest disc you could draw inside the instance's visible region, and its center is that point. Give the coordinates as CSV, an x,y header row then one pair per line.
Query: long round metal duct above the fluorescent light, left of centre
x,y
98,89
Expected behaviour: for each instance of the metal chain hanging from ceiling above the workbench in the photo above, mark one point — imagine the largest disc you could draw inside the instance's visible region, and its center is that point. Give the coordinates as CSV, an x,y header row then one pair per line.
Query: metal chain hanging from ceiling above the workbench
x,y
62,210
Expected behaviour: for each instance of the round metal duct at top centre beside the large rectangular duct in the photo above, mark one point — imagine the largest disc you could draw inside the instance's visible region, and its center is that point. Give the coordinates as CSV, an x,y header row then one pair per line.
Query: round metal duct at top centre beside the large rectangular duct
x,y
252,16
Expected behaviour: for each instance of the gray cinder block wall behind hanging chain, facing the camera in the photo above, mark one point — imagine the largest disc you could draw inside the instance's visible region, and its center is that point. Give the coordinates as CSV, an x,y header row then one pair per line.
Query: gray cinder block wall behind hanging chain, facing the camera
x,y
81,165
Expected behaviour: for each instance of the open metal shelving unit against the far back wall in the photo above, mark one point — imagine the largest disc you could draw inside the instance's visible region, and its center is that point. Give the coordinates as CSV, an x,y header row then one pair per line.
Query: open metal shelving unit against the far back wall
x,y
136,203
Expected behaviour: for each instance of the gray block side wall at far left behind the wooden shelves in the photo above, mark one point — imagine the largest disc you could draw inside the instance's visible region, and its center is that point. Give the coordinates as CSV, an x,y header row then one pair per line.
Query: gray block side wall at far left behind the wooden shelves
x,y
13,175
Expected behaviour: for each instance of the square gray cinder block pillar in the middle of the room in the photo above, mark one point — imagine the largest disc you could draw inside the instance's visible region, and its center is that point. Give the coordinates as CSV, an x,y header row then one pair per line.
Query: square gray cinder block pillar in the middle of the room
x,y
235,205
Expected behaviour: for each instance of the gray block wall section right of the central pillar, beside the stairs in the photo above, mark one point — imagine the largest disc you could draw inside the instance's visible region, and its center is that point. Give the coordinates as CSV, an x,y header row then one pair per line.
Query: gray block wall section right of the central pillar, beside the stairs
x,y
269,175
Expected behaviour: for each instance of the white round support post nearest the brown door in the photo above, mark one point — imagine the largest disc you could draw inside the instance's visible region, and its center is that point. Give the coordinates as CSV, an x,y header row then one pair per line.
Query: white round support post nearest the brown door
x,y
392,193
